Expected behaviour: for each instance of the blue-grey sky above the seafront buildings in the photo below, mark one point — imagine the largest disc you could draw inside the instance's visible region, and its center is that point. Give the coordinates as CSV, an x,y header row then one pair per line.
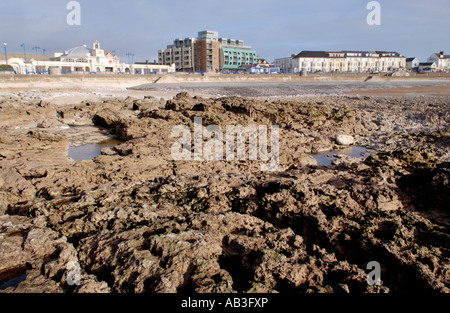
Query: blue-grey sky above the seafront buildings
x,y
274,29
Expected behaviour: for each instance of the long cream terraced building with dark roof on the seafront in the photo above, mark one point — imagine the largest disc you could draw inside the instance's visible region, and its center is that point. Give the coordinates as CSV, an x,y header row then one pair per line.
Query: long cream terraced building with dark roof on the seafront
x,y
342,62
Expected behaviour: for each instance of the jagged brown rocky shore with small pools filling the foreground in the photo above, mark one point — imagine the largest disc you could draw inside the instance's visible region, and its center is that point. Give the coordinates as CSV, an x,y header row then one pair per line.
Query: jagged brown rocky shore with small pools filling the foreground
x,y
133,219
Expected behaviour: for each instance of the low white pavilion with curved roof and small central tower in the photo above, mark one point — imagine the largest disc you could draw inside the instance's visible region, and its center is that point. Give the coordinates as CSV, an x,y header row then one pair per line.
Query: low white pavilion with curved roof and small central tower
x,y
81,60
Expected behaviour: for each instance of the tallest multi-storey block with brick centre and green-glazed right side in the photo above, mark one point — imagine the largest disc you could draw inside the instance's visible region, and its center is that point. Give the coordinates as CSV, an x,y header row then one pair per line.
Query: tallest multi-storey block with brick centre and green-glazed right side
x,y
208,53
